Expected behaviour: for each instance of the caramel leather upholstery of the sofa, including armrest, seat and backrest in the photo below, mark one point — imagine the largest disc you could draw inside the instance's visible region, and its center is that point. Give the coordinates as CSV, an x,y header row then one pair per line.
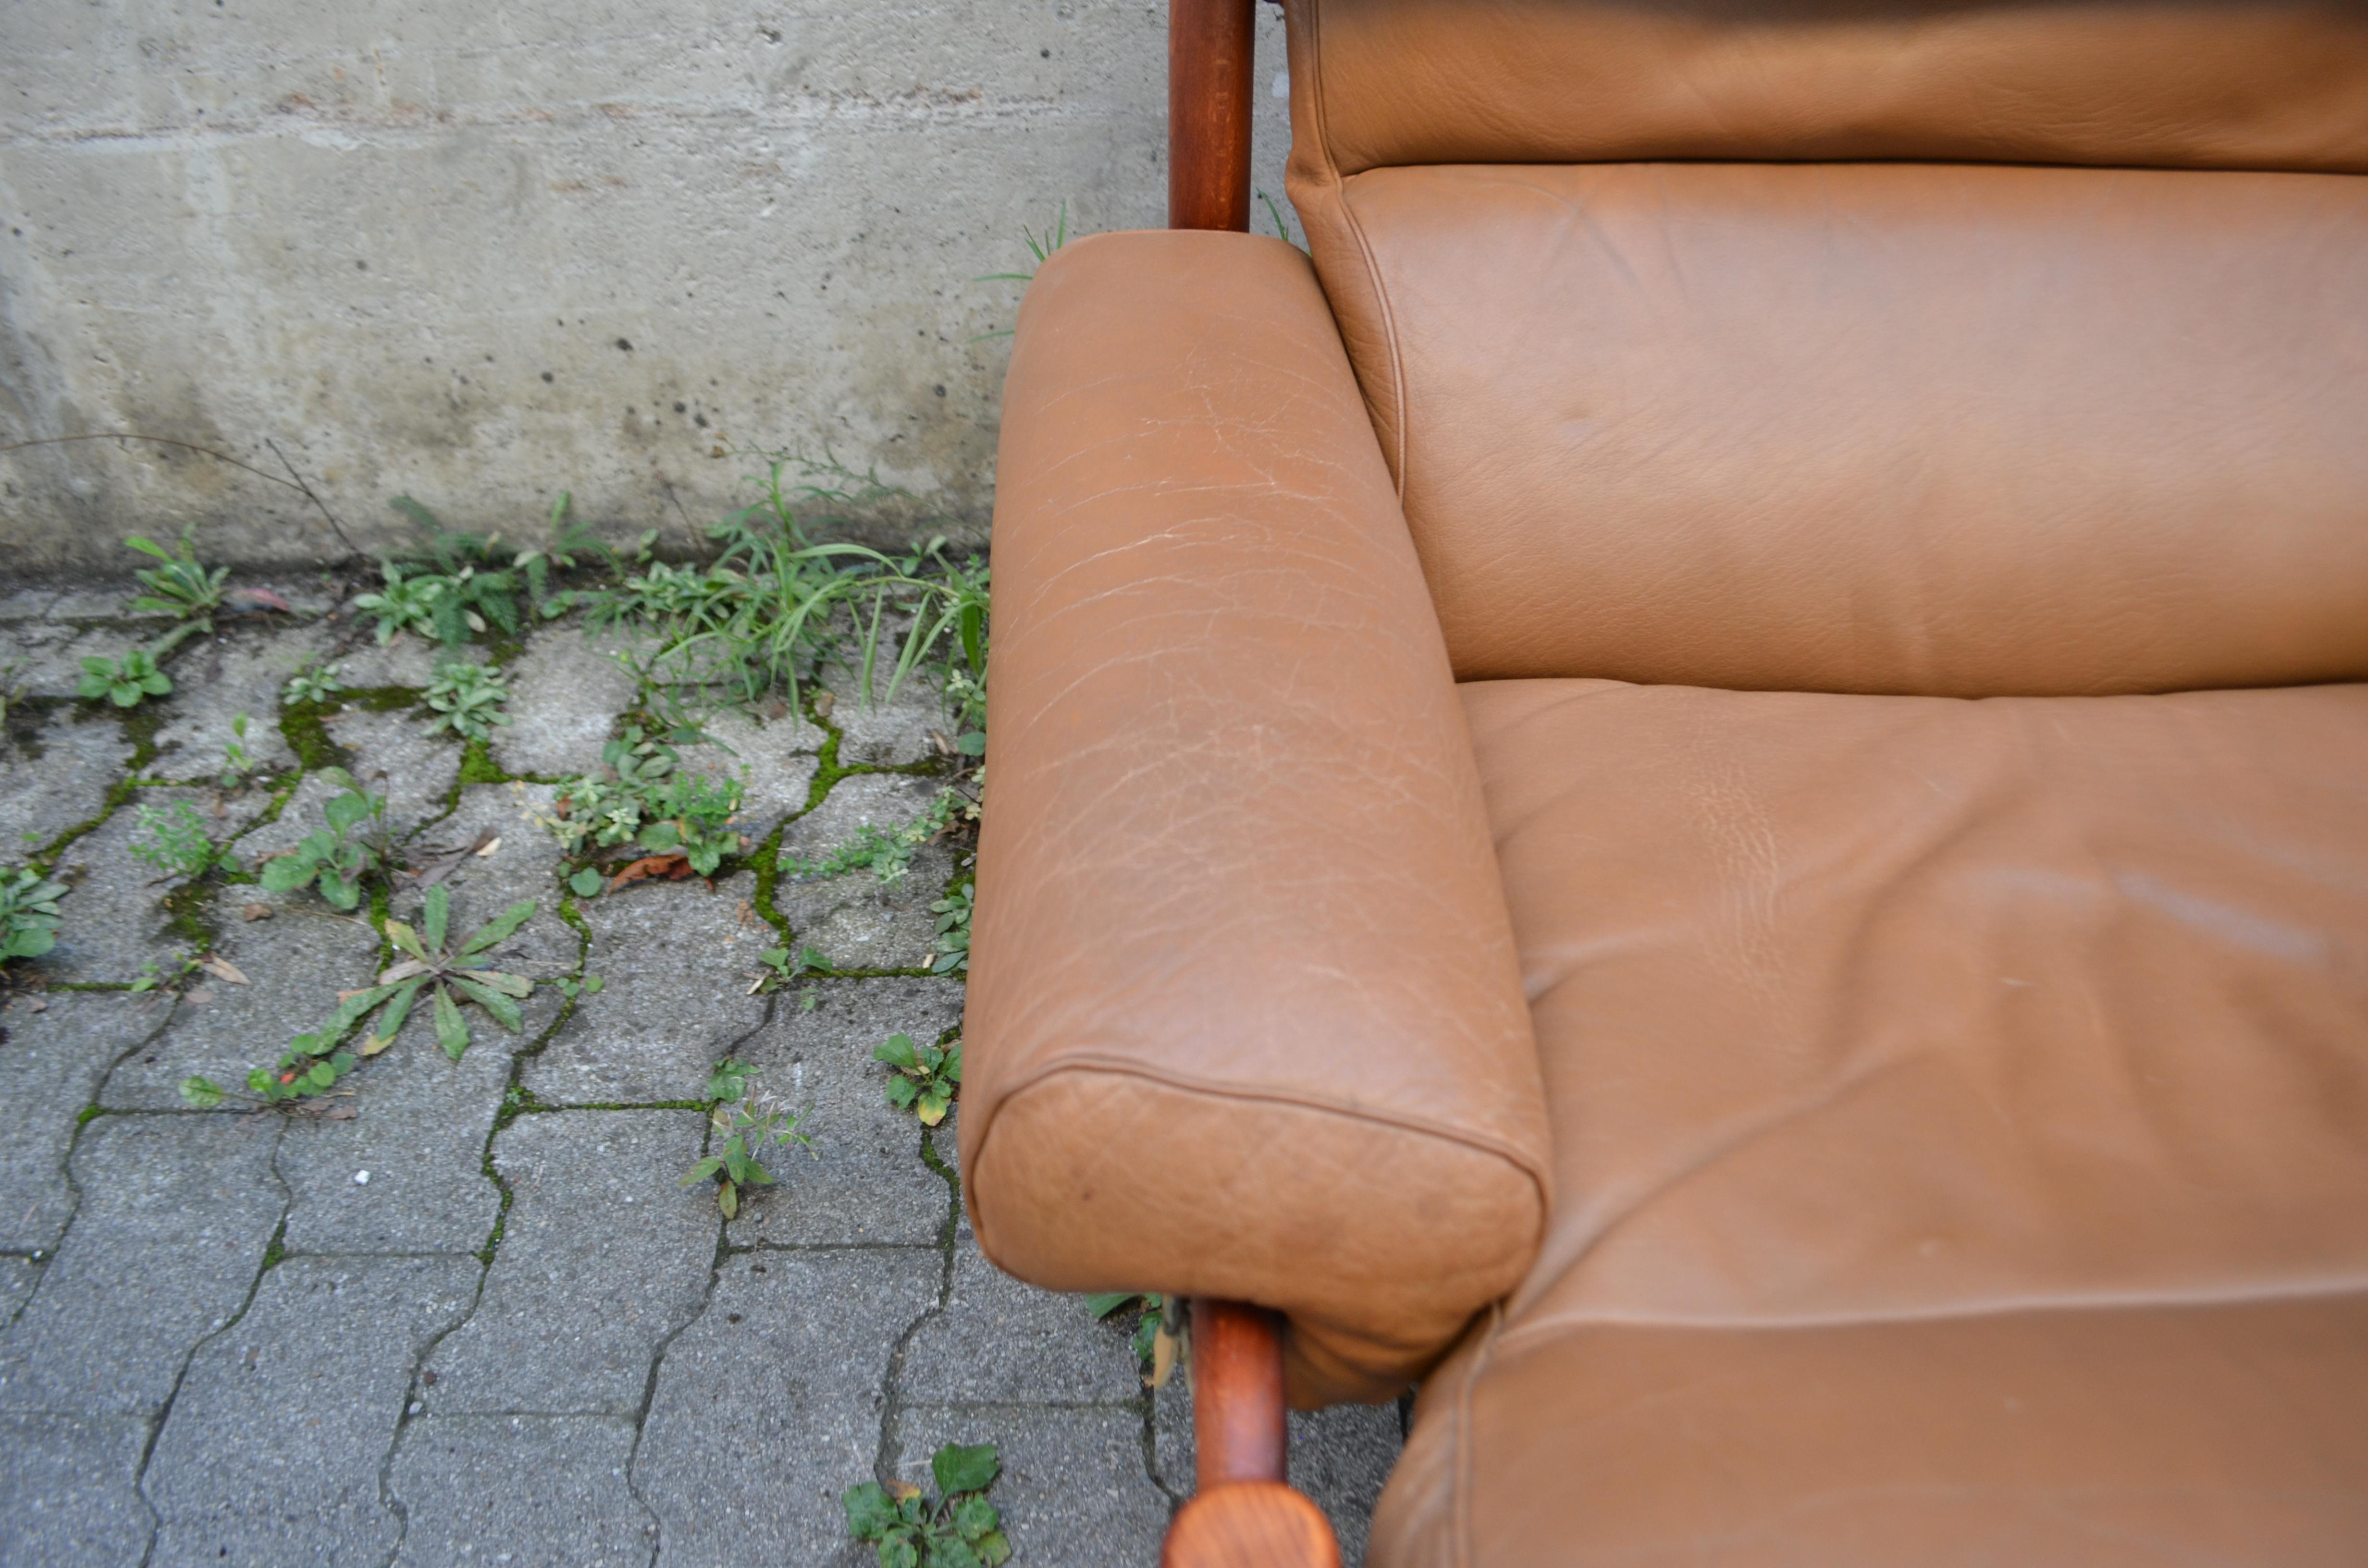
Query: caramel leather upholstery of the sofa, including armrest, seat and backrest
x,y
1709,788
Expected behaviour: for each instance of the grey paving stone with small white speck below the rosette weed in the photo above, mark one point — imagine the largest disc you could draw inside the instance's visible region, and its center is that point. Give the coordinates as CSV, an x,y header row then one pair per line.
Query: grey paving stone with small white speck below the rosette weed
x,y
420,1136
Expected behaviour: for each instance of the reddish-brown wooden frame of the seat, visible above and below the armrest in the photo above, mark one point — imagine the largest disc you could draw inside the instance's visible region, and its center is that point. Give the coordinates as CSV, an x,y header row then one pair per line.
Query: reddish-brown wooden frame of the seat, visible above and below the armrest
x,y
1244,1512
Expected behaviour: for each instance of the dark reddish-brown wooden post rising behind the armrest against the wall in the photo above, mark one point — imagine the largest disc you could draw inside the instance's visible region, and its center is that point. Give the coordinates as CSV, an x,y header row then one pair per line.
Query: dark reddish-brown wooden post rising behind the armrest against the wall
x,y
1209,113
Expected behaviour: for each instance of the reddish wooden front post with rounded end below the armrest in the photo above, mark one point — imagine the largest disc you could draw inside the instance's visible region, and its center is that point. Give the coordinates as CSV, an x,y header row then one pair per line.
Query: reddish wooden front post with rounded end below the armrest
x,y
1247,1517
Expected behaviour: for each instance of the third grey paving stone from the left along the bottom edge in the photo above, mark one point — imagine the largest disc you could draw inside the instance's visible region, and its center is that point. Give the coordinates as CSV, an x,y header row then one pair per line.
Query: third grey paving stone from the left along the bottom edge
x,y
520,1491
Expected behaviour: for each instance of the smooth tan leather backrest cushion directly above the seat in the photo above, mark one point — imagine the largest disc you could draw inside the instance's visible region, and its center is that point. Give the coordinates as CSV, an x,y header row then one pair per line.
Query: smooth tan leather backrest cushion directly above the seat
x,y
1872,428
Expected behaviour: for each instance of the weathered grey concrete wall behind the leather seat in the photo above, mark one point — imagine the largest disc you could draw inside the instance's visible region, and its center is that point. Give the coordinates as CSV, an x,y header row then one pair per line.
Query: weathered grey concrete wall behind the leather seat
x,y
491,250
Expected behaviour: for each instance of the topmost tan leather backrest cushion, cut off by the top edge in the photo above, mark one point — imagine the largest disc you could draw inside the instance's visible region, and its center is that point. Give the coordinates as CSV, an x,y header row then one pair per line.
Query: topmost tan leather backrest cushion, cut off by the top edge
x,y
2180,84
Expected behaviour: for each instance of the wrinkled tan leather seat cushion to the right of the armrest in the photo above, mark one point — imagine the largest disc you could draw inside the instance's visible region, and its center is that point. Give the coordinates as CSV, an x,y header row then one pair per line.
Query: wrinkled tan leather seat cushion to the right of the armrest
x,y
1962,1131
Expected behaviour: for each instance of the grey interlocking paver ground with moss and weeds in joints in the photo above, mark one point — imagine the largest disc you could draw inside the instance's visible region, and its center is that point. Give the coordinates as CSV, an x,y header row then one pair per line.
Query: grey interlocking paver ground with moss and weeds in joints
x,y
517,1342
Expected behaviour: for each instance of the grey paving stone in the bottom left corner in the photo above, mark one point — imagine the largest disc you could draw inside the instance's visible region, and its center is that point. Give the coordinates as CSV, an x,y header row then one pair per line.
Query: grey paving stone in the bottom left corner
x,y
67,1493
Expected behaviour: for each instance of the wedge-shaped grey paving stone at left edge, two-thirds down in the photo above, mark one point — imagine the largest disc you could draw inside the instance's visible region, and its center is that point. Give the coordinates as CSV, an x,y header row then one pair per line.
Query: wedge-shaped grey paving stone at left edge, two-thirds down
x,y
51,1067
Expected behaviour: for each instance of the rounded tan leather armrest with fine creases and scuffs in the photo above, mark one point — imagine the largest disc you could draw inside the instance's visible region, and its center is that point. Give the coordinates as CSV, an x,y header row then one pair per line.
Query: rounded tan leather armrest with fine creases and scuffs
x,y
1244,1008
